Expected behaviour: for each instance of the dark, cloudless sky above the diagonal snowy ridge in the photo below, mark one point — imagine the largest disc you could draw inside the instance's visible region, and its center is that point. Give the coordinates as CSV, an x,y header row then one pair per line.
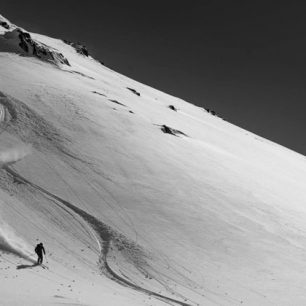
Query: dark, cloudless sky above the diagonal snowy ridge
x,y
244,59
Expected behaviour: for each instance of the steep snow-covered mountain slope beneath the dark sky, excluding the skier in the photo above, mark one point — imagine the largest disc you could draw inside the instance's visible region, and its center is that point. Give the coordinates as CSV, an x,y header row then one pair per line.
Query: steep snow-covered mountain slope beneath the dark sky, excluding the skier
x,y
129,214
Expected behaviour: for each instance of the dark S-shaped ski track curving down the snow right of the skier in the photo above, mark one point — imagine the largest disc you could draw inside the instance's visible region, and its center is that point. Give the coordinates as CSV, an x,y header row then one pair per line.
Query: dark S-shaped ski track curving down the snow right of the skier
x,y
105,237
